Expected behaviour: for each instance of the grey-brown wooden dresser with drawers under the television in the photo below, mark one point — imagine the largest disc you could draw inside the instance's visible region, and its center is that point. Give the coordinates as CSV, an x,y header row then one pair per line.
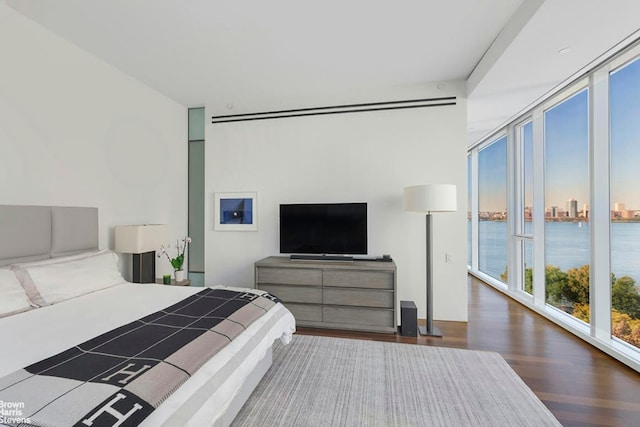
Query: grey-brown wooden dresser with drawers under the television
x,y
355,295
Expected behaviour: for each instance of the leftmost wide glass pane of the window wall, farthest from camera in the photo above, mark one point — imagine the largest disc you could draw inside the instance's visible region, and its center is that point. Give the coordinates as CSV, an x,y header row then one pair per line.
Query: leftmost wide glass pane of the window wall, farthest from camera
x,y
492,204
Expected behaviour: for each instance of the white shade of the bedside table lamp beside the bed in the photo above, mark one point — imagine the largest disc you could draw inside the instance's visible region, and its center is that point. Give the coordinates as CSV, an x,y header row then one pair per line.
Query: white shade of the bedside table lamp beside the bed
x,y
138,239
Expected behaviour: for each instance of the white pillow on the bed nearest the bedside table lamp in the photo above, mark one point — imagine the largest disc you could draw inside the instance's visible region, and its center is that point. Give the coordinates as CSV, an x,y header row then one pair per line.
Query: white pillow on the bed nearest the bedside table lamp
x,y
51,282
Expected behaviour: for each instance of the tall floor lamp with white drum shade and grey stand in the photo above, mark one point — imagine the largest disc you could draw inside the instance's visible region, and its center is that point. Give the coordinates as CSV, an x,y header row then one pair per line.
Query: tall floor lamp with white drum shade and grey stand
x,y
426,199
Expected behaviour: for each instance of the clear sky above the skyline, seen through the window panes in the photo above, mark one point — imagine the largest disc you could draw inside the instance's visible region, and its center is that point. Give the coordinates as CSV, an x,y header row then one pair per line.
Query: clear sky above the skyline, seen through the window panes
x,y
566,136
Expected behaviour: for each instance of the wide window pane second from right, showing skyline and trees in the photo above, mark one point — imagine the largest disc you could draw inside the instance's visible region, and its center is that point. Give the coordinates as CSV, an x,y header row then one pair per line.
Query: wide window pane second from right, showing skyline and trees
x,y
567,242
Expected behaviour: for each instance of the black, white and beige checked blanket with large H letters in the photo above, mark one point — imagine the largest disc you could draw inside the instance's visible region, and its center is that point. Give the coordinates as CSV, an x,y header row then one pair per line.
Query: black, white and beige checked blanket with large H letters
x,y
120,377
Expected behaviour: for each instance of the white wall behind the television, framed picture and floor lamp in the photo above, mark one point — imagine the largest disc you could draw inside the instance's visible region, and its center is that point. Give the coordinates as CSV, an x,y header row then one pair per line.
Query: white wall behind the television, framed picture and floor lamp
x,y
366,157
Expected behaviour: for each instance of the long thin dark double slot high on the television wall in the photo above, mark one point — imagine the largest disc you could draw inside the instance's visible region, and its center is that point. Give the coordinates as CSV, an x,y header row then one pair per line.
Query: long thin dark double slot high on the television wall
x,y
337,109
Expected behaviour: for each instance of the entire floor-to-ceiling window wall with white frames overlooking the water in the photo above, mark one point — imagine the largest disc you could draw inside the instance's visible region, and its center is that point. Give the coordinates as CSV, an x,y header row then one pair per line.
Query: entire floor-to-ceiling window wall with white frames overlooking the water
x,y
571,246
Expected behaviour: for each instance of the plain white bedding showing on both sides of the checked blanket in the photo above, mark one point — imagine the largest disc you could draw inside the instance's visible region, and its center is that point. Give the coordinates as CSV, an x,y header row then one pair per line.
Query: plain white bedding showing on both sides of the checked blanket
x,y
37,334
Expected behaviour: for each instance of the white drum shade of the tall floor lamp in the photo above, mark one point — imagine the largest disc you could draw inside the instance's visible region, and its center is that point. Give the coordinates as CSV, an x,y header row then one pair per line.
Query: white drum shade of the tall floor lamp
x,y
430,198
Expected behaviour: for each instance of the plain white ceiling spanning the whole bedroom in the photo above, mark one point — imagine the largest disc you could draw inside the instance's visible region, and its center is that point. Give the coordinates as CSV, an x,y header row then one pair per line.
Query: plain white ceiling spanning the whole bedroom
x,y
246,55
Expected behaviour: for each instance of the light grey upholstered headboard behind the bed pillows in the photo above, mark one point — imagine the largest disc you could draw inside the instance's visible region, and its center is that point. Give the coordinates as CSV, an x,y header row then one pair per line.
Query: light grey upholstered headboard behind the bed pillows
x,y
31,233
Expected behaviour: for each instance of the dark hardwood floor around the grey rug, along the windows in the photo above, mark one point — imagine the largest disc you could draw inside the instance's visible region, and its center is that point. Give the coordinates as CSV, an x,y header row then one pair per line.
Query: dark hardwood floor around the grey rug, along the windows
x,y
581,385
